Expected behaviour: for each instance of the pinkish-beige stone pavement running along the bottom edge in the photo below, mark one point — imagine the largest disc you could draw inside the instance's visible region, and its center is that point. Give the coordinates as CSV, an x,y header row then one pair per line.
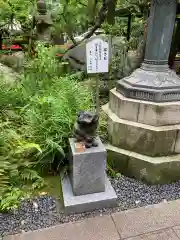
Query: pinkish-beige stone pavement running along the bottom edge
x,y
156,222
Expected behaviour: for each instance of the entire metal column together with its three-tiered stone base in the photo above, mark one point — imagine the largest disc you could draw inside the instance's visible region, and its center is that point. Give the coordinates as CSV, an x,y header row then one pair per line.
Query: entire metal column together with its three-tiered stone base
x,y
144,109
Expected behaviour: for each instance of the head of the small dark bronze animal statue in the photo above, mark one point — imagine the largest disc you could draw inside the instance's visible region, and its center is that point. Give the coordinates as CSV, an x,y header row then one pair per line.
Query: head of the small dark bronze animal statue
x,y
87,118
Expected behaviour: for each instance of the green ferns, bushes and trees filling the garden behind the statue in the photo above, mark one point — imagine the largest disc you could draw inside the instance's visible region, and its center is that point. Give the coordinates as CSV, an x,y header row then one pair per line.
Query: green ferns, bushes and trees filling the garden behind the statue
x,y
39,108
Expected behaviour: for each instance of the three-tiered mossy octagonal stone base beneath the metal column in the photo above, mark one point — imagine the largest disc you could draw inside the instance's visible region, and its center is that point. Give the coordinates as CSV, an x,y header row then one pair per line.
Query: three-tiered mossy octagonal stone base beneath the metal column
x,y
144,138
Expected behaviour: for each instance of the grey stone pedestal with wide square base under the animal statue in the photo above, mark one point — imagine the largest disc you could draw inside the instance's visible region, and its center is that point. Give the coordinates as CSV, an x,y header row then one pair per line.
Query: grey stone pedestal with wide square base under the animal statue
x,y
87,187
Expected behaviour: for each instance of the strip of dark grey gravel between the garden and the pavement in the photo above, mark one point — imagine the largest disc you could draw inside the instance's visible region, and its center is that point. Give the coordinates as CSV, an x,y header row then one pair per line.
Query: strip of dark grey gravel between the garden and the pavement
x,y
43,211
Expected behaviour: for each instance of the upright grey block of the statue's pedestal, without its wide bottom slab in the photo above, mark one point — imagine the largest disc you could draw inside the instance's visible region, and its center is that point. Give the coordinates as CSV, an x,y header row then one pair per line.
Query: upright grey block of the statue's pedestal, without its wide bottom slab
x,y
88,169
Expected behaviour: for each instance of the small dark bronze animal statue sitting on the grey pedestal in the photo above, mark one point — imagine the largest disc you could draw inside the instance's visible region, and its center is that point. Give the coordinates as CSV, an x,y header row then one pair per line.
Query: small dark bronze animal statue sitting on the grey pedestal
x,y
85,128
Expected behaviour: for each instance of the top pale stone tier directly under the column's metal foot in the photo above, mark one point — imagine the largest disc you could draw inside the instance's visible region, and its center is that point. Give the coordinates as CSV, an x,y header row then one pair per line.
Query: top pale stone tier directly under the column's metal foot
x,y
151,113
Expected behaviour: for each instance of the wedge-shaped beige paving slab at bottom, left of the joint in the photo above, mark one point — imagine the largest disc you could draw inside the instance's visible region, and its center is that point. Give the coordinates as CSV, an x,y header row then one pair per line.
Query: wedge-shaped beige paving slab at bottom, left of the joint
x,y
100,228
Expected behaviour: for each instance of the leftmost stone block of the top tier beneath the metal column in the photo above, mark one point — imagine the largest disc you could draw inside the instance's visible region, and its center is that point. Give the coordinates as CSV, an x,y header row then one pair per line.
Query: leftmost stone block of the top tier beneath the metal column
x,y
123,107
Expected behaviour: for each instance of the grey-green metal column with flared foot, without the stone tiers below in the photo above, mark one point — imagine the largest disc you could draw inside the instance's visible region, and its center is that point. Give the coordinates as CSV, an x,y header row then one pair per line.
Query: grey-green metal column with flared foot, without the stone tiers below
x,y
154,80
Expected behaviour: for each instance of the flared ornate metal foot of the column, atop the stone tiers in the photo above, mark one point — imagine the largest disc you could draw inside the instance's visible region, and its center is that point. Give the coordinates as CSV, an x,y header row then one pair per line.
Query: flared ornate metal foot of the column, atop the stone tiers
x,y
155,83
